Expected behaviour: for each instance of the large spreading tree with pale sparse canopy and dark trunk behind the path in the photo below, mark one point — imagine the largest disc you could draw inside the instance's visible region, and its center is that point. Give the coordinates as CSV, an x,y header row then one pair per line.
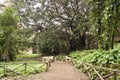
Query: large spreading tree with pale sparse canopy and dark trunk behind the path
x,y
71,16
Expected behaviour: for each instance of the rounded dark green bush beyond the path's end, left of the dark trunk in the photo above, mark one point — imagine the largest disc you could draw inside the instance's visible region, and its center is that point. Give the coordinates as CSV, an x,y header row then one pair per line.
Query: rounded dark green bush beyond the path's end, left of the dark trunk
x,y
49,42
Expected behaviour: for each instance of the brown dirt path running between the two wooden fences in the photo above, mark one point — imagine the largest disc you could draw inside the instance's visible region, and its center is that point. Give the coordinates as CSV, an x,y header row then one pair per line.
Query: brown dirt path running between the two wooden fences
x,y
58,71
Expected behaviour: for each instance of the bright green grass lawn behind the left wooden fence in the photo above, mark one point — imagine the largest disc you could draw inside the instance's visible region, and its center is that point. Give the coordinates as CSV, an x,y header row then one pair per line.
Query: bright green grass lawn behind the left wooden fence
x,y
33,66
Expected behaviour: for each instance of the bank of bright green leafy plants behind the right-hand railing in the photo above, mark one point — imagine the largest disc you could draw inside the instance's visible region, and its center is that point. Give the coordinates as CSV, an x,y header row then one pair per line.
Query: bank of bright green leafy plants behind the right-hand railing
x,y
99,57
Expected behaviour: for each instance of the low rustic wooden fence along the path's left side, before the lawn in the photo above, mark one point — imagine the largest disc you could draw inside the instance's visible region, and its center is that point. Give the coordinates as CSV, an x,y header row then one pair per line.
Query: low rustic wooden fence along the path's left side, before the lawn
x,y
22,69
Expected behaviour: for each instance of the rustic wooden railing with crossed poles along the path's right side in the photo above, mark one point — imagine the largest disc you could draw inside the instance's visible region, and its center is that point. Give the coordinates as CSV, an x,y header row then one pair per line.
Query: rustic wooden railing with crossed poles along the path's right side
x,y
96,72
